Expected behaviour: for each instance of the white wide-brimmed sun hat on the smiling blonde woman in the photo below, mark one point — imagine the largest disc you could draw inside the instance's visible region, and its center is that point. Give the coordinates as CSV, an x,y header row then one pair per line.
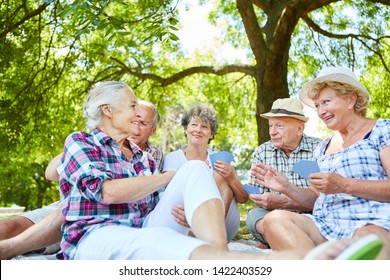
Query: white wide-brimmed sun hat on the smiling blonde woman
x,y
335,74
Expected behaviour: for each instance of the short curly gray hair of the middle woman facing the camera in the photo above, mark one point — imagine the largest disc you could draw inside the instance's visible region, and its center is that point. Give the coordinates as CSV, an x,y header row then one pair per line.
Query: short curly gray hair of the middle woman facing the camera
x,y
206,113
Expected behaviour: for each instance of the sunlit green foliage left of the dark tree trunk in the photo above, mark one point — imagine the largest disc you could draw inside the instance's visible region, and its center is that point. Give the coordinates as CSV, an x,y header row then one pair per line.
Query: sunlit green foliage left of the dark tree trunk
x,y
49,65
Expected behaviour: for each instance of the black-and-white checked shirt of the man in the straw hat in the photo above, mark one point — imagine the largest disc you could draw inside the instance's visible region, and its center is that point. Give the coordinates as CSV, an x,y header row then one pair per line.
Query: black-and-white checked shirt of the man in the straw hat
x,y
270,155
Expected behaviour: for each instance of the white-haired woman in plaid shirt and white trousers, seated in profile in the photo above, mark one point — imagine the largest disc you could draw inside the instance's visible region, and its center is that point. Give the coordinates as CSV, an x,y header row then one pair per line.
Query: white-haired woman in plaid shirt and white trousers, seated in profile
x,y
111,190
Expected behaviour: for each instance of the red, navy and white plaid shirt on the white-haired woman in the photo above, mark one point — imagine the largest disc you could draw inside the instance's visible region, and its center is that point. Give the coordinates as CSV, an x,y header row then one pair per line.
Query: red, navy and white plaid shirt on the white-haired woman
x,y
88,160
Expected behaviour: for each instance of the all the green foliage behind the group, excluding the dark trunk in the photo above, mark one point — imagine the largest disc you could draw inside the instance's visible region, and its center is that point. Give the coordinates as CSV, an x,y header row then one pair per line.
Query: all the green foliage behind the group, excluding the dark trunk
x,y
50,61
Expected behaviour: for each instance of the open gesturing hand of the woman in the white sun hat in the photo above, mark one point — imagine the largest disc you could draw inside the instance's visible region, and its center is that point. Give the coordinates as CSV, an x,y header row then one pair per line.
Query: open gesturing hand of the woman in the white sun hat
x,y
269,177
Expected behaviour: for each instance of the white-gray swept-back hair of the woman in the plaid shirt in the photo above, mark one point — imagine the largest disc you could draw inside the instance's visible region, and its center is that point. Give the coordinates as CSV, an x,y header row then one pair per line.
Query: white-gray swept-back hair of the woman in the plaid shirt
x,y
103,93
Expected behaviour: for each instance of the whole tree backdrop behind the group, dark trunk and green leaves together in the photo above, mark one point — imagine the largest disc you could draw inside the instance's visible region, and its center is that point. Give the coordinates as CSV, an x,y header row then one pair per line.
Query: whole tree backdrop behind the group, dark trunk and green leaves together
x,y
52,52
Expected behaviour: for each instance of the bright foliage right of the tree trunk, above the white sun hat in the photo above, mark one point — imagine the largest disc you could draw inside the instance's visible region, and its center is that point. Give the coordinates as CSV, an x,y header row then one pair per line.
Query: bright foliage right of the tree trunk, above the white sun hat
x,y
353,38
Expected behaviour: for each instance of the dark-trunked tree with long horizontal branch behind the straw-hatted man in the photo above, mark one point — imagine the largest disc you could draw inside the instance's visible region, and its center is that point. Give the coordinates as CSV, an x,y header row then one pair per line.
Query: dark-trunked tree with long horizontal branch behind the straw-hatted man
x,y
272,26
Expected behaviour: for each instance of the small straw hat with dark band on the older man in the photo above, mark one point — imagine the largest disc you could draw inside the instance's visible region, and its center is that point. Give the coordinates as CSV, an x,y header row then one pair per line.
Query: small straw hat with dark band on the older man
x,y
286,107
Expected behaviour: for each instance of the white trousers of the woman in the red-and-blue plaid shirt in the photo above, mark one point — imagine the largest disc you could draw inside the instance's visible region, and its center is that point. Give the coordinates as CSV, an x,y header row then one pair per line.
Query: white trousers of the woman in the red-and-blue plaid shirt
x,y
161,236
